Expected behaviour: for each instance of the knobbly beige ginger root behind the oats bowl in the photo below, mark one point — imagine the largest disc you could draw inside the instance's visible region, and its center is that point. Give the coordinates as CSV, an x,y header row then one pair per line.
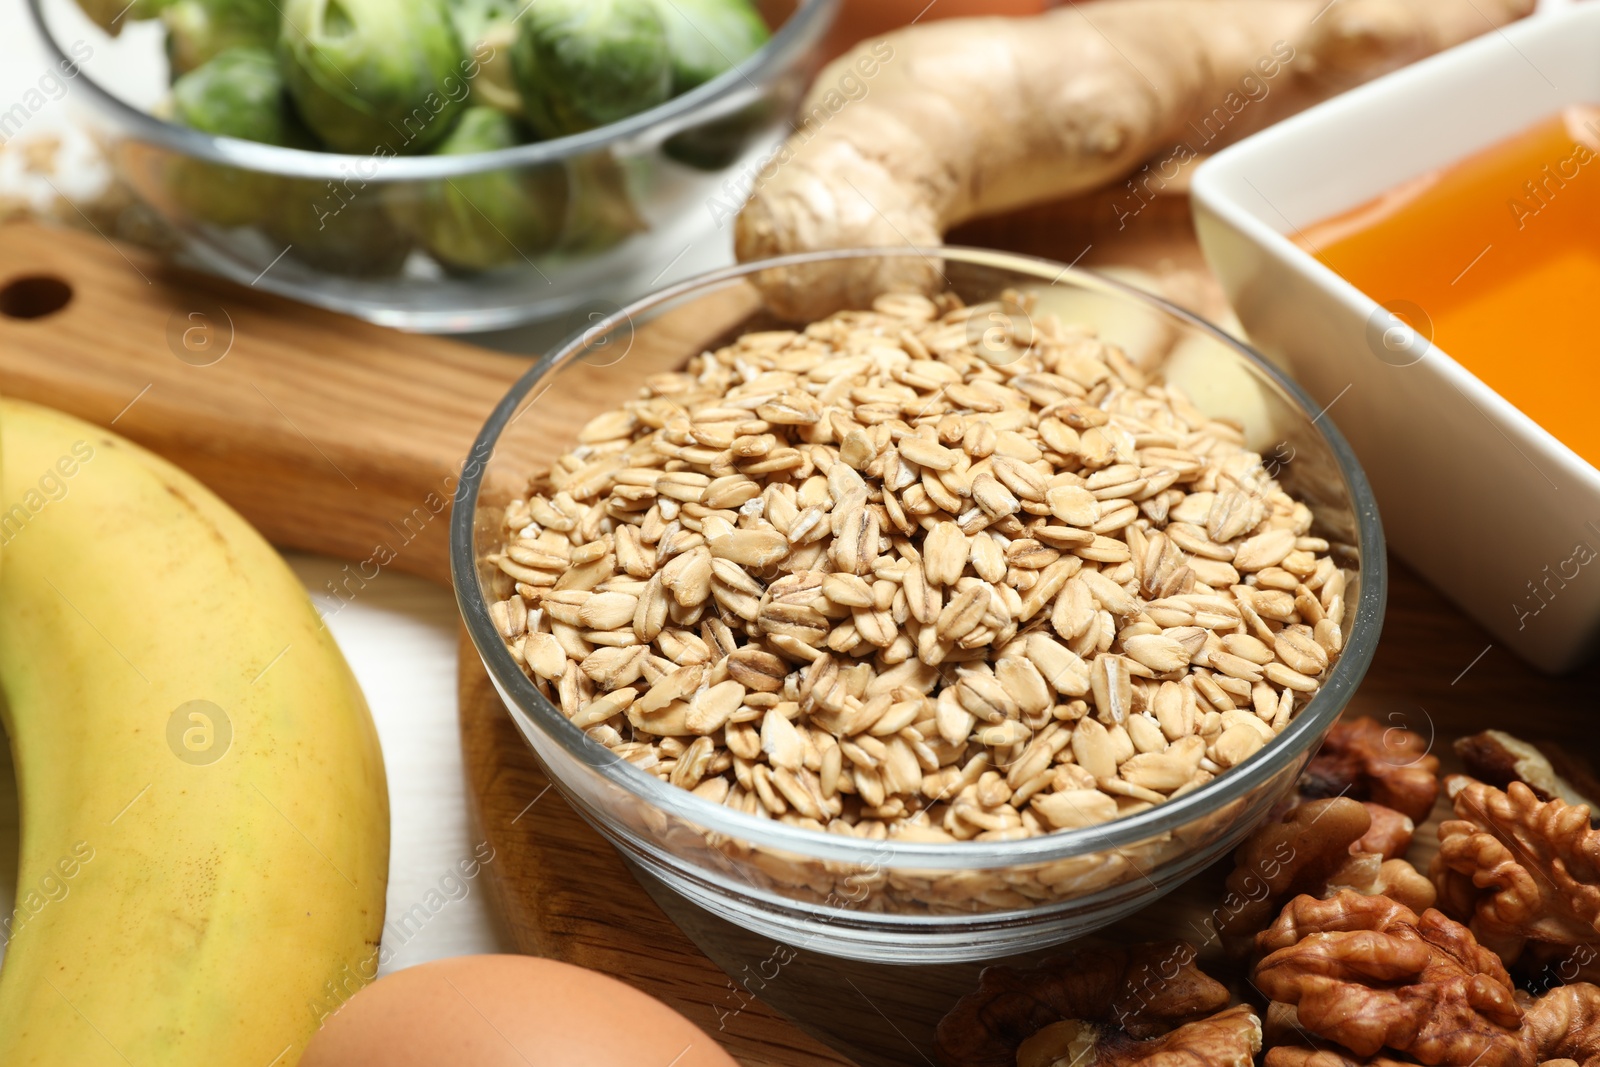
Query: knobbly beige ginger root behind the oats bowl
x,y
950,121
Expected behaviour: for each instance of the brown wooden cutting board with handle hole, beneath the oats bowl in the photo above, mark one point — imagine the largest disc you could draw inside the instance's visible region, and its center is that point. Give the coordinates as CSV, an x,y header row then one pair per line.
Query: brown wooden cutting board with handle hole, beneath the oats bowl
x,y
329,434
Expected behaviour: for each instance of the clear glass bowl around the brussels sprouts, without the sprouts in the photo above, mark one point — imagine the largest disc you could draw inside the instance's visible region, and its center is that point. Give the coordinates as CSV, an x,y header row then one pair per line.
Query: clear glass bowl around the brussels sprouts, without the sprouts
x,y
602,217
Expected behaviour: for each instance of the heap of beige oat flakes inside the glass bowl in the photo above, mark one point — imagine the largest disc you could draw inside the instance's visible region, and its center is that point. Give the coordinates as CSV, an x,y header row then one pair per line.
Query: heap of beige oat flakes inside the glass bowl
x,y
863,580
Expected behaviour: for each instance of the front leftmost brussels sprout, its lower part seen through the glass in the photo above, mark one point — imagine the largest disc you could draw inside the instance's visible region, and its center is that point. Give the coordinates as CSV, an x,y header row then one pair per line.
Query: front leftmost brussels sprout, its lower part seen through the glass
x,y
238,95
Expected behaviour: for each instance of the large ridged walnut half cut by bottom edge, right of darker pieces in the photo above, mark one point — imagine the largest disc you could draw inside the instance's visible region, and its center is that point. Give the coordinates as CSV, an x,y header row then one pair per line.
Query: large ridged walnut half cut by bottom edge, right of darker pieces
x,y
1374,975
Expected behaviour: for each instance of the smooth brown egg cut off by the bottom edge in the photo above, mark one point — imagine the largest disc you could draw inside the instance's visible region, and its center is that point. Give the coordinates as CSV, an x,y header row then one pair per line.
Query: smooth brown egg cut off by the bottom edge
x,y
508,1012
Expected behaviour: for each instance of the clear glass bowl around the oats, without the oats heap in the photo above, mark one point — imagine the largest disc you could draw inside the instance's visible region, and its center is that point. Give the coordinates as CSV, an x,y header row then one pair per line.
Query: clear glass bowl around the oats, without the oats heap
x,y
908,901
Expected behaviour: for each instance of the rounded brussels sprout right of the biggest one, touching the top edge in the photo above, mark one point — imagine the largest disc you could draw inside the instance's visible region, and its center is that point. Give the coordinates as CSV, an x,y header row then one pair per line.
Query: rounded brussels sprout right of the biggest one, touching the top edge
x,y
588,63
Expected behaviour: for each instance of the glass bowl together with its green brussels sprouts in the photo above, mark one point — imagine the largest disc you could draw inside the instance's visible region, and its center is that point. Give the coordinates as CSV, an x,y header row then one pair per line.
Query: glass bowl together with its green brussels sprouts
x,y
444,166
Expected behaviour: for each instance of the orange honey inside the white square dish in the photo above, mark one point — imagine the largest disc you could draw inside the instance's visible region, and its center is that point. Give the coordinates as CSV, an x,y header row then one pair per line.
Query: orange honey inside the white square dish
x,y
1497,260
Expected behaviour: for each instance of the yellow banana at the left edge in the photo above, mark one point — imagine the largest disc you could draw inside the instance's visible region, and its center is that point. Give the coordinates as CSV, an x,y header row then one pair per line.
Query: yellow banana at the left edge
x,y
206,821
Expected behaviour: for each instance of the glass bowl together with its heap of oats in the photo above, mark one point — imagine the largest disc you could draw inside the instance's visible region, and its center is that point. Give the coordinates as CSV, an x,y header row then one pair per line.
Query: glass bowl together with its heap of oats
x,y
937,629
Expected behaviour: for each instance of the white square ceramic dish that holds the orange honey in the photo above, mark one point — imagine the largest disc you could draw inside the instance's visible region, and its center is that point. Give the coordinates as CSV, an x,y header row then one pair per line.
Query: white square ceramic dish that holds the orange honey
x,y
1489,506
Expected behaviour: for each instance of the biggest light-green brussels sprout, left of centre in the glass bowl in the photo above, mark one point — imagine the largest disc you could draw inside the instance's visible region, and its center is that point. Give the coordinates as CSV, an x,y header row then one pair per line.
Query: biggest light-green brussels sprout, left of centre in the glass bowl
x,y
374,74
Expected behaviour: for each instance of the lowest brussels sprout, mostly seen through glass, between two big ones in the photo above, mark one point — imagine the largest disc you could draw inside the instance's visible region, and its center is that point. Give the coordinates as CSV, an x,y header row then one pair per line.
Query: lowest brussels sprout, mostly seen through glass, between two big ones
x,y
486,222
